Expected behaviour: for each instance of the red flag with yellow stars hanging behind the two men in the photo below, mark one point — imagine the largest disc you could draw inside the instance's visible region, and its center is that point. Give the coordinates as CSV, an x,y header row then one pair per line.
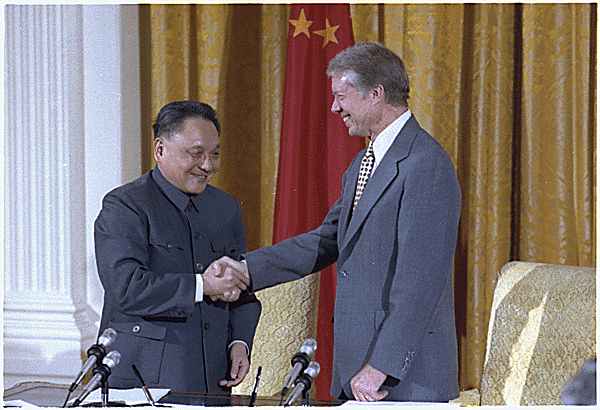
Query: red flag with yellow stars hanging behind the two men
x,y
315,147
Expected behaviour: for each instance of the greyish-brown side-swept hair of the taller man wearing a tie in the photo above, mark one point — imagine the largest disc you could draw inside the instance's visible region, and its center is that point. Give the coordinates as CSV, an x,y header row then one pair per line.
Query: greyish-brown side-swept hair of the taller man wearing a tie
x,y
371,64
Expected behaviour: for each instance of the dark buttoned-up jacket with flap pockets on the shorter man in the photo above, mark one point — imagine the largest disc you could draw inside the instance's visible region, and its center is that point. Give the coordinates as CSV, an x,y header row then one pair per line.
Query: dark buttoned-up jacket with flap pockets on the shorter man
x,y
151,239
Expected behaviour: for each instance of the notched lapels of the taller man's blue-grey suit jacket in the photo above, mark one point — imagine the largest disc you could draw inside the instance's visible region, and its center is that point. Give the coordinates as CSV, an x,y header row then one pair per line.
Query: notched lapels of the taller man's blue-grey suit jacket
x,y
382,177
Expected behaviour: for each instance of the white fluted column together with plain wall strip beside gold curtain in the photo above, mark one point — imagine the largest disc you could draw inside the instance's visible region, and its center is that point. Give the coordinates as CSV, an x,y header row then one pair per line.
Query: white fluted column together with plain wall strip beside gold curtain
x,y
70,135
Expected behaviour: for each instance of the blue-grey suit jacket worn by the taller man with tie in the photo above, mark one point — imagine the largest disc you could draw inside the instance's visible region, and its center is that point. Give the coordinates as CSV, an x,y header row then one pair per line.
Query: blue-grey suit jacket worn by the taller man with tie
x,y
394,305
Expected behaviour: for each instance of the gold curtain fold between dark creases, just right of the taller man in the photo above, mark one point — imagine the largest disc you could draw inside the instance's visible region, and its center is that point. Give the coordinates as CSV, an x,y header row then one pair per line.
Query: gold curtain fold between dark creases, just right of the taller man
x,y
484,241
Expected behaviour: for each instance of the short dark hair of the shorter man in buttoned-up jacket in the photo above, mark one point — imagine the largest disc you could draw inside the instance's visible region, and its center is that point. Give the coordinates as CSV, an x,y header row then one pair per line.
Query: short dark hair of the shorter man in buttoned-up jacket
x,y
171,117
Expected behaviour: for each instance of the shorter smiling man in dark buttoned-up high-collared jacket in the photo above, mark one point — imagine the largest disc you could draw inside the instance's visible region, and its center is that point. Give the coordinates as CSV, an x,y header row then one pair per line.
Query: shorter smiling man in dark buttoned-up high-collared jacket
x,y
154,238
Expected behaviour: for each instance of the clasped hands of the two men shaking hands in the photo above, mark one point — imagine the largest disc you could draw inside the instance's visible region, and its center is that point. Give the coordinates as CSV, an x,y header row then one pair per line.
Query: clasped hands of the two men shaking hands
x,y
225,279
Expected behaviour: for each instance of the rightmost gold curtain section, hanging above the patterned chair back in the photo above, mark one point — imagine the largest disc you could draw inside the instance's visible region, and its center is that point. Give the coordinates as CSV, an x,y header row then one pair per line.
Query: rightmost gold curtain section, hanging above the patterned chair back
x,y
555,94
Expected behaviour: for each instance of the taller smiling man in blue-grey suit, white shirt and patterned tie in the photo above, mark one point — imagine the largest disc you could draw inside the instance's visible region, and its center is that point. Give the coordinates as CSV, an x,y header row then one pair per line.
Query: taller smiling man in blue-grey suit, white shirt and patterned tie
x,y
394,330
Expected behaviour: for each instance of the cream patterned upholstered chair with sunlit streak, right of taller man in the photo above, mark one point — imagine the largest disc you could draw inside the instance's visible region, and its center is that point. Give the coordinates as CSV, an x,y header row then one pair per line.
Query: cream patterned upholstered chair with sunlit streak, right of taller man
x,y
542,330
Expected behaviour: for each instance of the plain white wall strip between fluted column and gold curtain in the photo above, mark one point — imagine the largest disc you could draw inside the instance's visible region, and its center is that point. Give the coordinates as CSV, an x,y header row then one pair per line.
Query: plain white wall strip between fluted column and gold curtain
x,y
112,114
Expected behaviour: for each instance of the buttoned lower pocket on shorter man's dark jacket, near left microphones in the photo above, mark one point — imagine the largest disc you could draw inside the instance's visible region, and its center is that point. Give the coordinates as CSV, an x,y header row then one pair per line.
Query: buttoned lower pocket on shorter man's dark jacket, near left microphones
x,y
140,343
